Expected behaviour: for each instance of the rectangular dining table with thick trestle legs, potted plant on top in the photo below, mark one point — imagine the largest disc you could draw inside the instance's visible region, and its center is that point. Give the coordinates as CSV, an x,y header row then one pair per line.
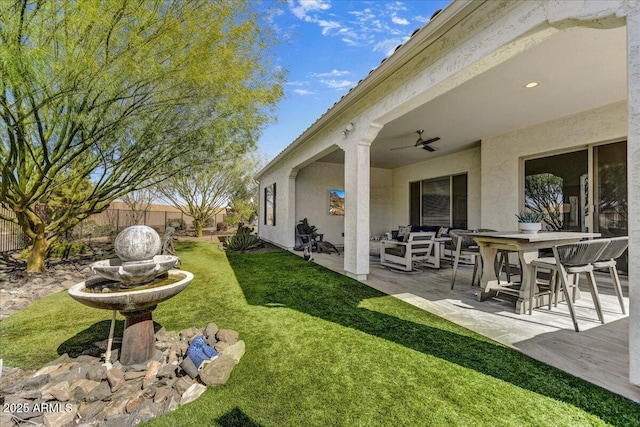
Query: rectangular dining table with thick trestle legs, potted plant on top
x,y
527,246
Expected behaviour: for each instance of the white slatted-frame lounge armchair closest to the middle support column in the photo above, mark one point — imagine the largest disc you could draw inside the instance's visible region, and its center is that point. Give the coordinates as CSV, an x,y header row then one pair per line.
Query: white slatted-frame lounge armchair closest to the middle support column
x,y
402,255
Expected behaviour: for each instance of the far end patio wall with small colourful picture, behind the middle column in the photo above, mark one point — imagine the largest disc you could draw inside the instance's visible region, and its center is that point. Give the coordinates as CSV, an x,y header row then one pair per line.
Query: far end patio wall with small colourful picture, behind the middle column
x,y
312,199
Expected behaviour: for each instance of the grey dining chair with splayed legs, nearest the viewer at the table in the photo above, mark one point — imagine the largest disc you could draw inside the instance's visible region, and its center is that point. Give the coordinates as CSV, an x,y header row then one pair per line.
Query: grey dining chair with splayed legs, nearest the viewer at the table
x,y
571,258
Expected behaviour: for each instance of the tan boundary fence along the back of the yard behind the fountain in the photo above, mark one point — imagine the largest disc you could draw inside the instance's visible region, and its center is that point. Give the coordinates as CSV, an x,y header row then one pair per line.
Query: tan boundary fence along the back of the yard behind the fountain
x,y
107,223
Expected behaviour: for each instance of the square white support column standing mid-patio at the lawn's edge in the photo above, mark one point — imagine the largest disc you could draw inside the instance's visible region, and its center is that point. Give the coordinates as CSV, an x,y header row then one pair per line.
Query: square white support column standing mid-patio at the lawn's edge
x,y
356,220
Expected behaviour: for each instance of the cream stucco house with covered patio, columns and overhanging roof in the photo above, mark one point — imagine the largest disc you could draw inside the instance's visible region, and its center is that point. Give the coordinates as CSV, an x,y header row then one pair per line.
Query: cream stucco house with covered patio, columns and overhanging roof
x,y
509,89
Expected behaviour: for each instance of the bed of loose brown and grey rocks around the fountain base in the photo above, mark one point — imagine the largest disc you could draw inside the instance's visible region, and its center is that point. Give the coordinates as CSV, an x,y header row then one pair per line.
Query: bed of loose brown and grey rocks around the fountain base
x,y
121,395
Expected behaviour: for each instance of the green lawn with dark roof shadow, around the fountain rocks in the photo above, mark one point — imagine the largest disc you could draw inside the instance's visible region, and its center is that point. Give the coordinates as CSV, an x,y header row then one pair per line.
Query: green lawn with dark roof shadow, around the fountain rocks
x,y
323,349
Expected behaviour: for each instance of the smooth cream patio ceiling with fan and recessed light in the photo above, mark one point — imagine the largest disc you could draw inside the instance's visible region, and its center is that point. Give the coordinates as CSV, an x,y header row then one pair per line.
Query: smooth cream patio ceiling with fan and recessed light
x,y
577,71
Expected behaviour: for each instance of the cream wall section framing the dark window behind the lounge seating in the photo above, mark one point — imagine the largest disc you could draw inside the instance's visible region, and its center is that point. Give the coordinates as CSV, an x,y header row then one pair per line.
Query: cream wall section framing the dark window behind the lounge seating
x,y
467,161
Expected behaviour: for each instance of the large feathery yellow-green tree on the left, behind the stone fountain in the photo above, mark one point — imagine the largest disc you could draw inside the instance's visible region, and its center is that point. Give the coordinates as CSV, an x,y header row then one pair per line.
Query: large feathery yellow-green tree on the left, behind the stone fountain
x,y
101,98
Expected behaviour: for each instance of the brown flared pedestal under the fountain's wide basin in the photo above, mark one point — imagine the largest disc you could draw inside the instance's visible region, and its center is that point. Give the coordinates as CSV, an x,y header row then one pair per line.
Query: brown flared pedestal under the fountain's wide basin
x,y
138,340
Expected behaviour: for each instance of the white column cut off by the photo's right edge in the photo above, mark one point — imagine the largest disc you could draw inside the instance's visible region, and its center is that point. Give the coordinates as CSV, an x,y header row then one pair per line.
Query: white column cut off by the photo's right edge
x,y
633,162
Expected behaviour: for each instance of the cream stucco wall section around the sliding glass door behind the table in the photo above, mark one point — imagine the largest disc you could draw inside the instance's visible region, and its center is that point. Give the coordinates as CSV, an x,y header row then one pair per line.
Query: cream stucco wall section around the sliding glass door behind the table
x,y
502,175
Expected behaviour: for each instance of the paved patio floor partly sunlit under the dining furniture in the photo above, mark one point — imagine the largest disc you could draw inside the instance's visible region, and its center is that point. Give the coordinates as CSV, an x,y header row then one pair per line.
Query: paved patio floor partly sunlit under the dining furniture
x,y
598,353
